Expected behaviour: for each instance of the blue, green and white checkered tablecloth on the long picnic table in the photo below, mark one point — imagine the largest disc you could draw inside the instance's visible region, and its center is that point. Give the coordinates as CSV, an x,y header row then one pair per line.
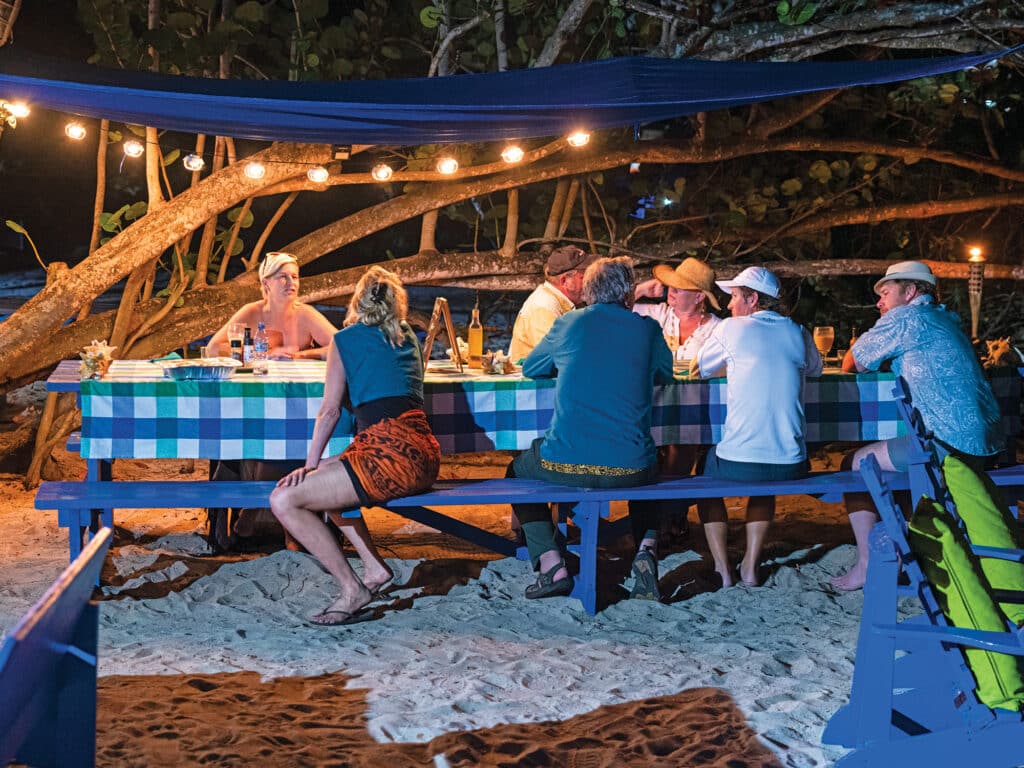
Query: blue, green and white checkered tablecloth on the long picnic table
x,y
136,413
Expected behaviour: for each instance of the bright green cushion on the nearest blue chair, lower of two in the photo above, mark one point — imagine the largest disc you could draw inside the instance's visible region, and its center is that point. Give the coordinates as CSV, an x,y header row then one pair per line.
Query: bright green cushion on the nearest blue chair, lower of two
x,y
967,602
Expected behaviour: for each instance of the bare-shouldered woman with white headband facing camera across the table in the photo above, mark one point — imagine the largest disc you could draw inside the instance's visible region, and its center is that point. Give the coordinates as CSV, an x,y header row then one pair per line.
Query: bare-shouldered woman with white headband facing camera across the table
x,y
296,331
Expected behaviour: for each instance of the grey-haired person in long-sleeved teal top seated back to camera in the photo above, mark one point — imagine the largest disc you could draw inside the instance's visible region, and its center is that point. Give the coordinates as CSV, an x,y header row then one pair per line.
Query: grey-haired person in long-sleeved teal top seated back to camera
x,y
607,361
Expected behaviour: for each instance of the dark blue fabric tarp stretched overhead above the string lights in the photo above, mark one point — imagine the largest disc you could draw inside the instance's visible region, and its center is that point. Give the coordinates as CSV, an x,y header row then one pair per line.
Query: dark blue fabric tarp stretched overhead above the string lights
x,y
522,104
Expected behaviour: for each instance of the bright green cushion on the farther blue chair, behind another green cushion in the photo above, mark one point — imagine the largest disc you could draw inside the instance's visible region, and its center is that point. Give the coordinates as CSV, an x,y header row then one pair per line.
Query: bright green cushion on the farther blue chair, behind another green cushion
x,y
989,524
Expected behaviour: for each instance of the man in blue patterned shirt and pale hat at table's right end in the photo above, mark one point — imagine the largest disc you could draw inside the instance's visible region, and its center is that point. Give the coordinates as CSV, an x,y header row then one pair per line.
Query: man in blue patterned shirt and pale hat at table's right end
x,y
923,343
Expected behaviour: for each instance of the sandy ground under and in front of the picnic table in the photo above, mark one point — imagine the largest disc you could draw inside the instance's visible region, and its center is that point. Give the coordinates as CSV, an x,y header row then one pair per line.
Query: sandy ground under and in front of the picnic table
x,y
210,660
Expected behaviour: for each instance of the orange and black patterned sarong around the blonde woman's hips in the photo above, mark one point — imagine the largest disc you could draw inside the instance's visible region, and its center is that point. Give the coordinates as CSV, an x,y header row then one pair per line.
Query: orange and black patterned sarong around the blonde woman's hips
x,y
396,457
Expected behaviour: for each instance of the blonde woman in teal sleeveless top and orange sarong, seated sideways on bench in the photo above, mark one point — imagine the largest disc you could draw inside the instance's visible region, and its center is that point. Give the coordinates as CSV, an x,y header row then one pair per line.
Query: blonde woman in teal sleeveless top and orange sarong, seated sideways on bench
x,y
376,362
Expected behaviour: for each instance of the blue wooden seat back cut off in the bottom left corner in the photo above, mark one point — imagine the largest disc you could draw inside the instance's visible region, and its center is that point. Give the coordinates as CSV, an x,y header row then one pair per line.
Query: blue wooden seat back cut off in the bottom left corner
x,y
49,672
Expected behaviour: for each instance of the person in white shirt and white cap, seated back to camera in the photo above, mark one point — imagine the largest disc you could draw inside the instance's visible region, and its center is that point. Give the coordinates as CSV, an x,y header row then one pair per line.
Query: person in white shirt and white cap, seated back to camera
x,y
766,358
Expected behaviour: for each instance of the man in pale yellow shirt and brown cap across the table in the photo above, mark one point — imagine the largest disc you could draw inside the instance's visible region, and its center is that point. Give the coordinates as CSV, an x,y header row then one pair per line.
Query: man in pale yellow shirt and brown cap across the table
x,y
550,301
